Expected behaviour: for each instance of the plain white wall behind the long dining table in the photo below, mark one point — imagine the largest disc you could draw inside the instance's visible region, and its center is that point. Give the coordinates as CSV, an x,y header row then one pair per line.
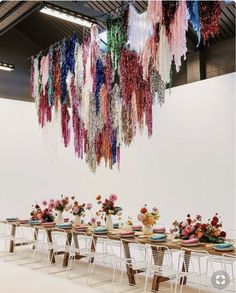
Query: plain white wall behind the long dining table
x,y
188,166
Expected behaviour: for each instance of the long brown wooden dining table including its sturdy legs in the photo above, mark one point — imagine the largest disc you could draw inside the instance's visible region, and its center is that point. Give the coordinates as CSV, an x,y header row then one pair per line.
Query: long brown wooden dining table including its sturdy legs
x,y
113,236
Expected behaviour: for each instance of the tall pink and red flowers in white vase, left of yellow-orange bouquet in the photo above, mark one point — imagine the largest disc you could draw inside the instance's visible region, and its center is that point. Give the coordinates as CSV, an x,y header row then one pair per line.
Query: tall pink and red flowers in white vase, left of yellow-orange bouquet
x,y
108,208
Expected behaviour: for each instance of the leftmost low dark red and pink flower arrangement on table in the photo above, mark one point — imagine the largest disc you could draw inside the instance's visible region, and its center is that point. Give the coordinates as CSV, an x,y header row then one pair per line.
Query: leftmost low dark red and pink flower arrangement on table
x,y
44,214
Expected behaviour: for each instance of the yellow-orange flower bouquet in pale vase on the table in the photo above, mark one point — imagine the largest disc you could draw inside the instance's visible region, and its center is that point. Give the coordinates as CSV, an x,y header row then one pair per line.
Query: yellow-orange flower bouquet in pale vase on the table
x,y
148,219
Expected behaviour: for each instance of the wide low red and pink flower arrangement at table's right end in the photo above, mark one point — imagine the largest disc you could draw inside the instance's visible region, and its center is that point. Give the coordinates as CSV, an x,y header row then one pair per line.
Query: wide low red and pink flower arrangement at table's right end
x,y
194,228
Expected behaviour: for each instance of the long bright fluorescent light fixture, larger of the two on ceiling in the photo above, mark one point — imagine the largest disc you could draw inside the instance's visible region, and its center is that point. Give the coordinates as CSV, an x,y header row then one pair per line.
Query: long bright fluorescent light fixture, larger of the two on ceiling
x,y
66,15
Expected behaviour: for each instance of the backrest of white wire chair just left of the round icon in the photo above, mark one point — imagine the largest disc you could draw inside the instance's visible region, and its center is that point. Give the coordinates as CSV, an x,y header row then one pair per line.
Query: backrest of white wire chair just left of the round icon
x,y
194,261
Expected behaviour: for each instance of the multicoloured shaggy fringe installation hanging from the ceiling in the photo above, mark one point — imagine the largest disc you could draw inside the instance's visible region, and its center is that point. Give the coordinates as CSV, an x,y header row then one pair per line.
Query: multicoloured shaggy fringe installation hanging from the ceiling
x,y
103,99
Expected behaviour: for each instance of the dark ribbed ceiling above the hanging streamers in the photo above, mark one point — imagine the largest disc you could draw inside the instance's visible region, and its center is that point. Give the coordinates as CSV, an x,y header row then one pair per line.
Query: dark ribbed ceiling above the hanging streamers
x,y
45,30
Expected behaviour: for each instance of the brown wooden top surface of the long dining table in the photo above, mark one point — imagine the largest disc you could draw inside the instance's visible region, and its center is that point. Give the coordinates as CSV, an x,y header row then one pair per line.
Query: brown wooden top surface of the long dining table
x,y
140,237
